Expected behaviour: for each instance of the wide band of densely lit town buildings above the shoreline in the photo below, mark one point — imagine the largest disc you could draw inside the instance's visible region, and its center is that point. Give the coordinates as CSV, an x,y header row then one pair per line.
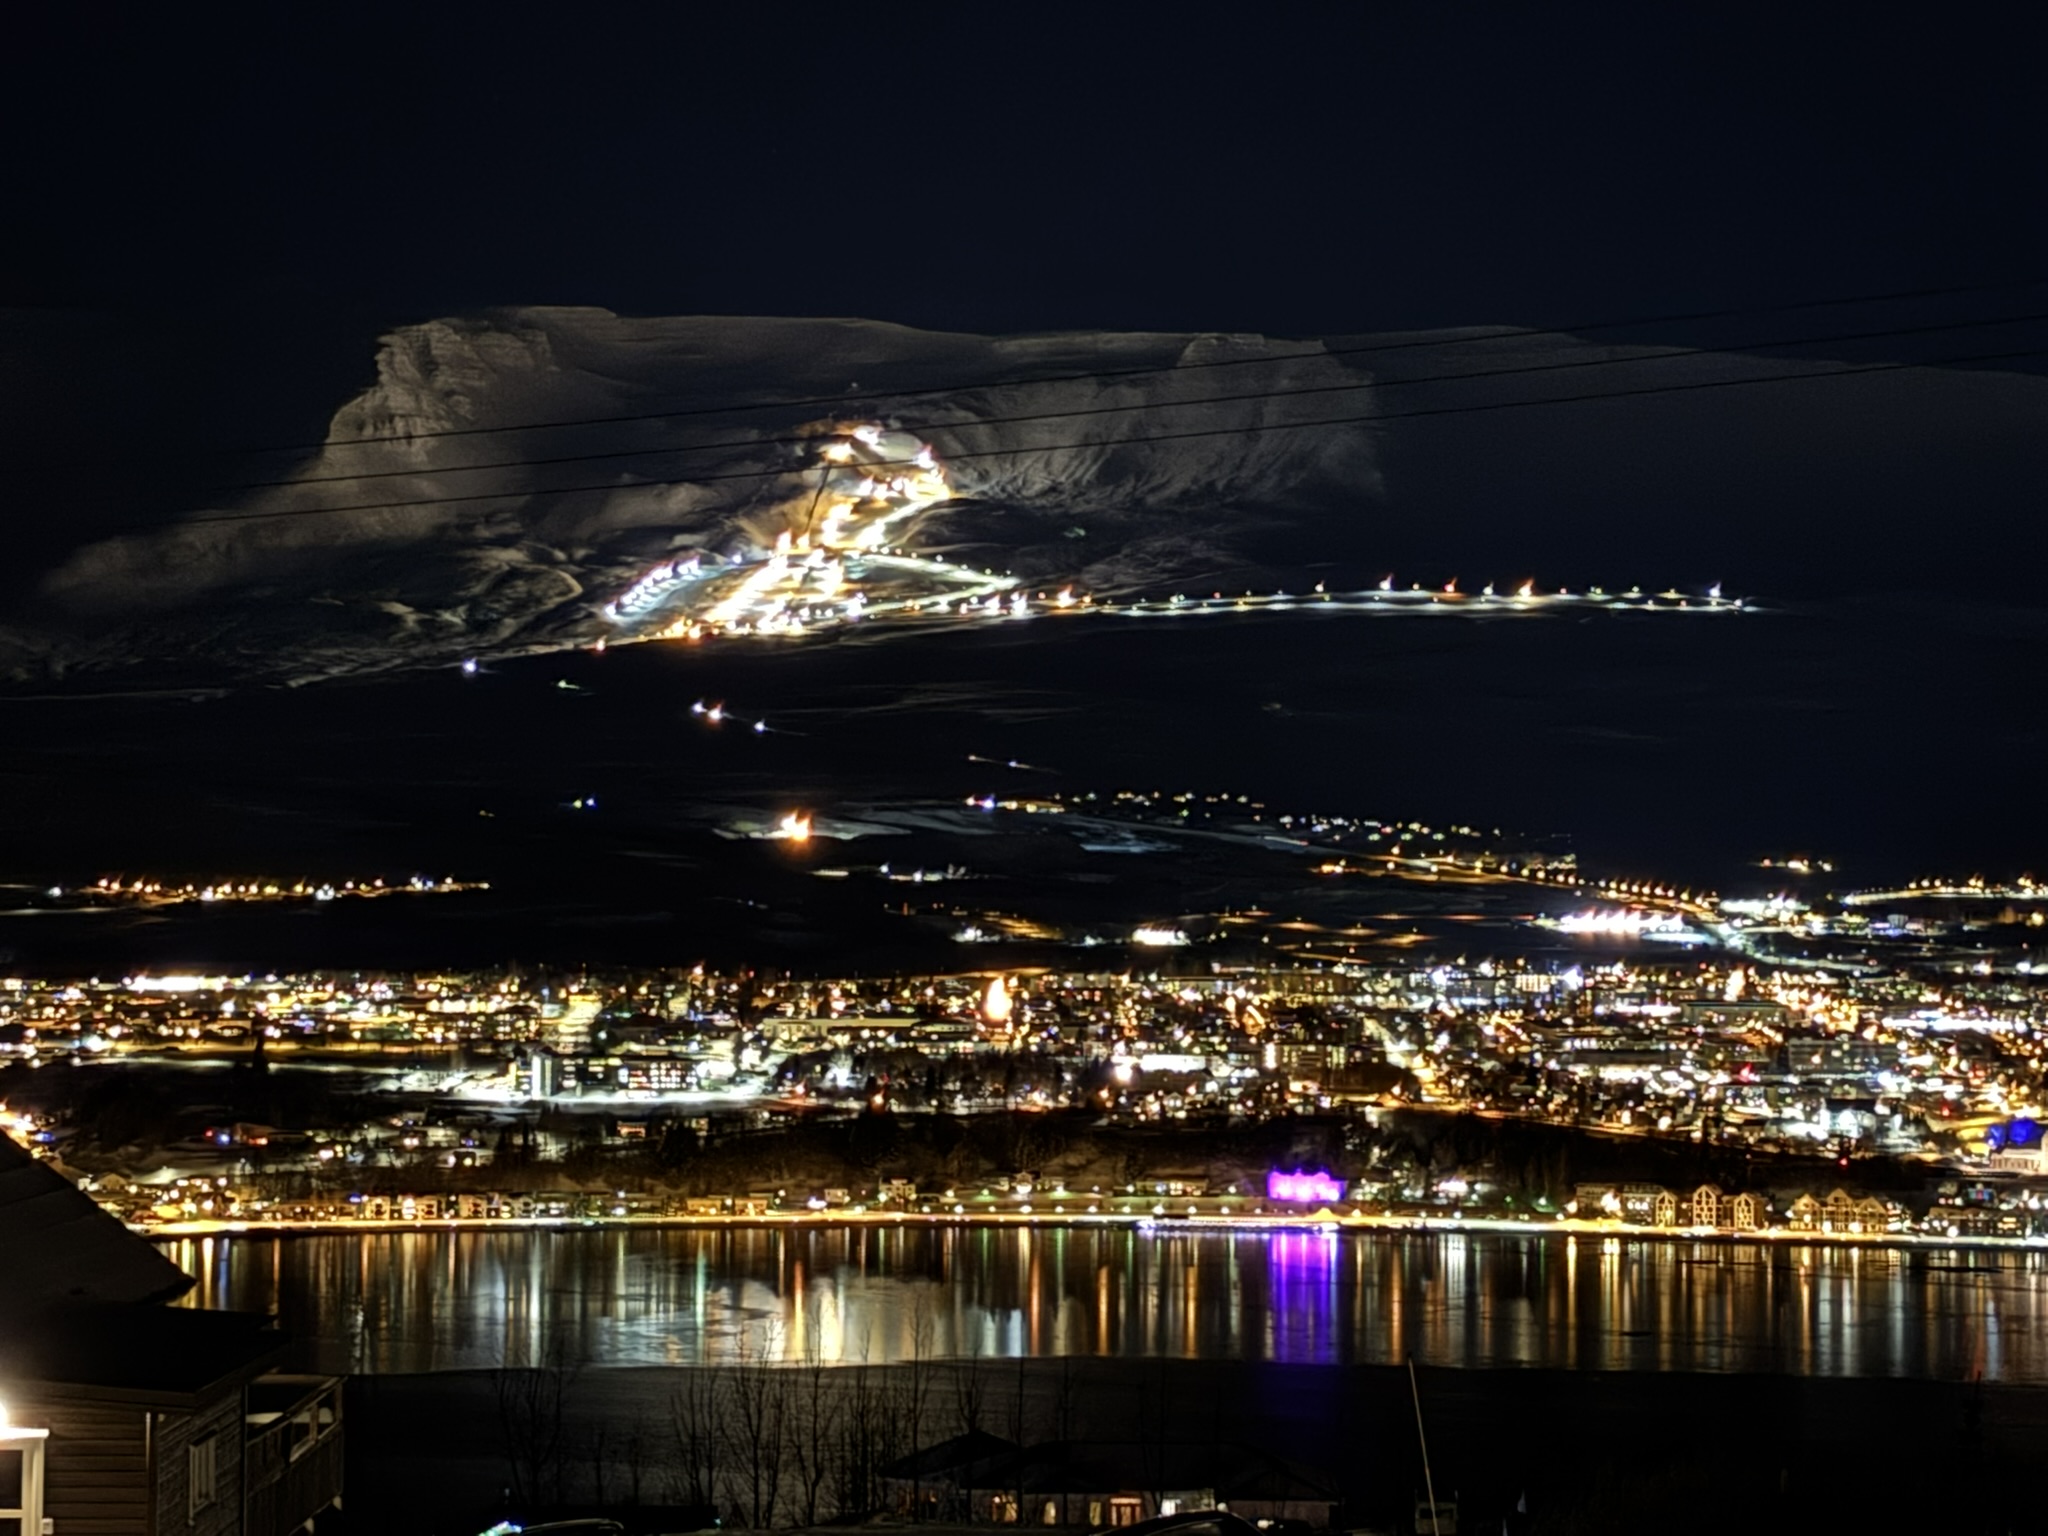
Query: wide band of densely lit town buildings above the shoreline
x,y
478,1078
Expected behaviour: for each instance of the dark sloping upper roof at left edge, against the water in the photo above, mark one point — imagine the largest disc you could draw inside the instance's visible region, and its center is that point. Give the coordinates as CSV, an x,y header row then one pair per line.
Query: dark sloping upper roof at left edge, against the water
x,y
58,1246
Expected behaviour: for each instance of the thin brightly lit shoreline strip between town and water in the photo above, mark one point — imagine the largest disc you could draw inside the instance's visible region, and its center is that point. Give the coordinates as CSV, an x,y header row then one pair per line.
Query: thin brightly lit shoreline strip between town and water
x,y
1115,1222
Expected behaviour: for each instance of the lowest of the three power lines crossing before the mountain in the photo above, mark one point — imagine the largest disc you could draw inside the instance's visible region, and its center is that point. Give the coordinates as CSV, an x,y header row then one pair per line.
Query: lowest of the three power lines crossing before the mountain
x,y
1695,386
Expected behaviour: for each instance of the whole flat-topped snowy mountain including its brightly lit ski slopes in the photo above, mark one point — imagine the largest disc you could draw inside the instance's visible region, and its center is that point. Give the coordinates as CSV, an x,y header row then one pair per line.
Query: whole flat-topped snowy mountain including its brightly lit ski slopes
x,y
515,476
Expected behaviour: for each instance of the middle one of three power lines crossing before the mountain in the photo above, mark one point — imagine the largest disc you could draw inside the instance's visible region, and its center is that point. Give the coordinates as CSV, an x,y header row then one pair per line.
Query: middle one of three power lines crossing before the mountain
x,y
1140,407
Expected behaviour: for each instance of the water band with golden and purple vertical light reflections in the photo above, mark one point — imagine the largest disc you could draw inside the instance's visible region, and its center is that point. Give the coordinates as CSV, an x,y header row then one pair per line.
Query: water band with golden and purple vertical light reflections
x,y
650,1297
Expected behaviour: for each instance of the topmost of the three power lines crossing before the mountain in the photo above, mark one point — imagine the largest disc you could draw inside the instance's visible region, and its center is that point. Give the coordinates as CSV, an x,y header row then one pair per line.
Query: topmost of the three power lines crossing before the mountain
x,y
1508,333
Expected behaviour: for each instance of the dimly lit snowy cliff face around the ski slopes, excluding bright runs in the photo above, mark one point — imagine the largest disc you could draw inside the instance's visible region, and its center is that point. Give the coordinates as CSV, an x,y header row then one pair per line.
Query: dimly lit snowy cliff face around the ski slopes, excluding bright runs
x,y
509,474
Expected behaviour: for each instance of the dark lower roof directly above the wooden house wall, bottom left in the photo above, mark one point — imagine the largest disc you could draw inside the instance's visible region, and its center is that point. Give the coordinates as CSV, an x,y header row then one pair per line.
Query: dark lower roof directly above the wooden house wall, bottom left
x,y
173,1357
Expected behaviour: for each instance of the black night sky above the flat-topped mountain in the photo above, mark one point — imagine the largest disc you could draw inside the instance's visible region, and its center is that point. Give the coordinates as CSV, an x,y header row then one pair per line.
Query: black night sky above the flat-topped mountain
x,y
1289,169
